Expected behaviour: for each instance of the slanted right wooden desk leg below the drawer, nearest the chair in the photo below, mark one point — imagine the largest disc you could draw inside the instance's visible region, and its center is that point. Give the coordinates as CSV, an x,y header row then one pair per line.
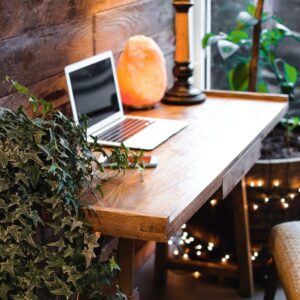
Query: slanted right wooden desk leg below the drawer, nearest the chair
x,y
242,238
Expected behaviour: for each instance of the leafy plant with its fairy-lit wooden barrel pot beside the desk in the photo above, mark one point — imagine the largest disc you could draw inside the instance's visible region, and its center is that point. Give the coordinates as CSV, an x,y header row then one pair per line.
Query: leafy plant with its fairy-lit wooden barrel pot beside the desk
x,y
274,182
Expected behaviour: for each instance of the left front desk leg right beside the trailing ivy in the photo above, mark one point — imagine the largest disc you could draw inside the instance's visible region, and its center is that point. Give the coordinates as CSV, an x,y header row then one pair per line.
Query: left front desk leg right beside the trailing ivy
x,y
126,263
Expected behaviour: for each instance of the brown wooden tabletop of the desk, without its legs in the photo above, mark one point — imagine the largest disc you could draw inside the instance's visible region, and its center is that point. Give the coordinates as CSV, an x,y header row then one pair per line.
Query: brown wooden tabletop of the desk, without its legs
x,y
192,166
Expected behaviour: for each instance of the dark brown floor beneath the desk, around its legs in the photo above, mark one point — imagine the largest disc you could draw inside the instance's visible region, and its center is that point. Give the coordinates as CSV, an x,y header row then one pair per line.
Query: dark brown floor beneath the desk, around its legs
x,y
185,286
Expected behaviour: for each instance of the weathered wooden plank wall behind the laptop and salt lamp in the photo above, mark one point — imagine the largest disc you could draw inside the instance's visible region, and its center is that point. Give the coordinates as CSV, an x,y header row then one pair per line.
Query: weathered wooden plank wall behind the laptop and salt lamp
x,y
38,38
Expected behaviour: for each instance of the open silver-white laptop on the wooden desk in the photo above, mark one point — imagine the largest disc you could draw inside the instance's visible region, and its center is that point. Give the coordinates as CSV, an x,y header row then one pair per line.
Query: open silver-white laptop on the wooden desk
x,y
94,92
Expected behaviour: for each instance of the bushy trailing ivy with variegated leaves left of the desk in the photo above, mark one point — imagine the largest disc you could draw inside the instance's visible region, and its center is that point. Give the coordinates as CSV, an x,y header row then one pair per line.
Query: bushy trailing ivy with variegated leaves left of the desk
x,y
47,249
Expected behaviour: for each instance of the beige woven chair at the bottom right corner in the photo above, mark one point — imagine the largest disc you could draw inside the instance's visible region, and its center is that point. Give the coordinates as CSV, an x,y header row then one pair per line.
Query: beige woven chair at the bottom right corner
x,y
285,249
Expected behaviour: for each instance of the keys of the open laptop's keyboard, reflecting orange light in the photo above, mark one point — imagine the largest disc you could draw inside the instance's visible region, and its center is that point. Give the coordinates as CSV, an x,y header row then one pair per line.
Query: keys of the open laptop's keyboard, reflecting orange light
x,y
124,130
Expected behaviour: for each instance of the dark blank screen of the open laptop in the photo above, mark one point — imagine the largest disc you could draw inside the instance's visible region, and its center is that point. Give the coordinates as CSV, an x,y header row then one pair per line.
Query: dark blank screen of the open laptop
x,y
94,91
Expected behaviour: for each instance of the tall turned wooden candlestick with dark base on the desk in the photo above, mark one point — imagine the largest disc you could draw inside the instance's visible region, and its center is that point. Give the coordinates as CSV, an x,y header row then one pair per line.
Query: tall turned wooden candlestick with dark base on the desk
x,y
183,91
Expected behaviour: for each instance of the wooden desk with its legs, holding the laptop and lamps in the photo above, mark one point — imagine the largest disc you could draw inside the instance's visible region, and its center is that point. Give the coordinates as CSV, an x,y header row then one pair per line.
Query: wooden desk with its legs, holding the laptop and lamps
x,y
220,144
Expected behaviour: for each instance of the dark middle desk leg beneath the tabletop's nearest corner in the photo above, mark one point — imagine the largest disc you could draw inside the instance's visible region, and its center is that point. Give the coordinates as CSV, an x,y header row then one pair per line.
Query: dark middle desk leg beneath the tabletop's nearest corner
x,y
160,269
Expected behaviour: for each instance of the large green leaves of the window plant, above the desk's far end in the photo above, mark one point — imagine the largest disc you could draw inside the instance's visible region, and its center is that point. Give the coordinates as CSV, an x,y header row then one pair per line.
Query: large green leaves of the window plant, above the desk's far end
x,y
235,47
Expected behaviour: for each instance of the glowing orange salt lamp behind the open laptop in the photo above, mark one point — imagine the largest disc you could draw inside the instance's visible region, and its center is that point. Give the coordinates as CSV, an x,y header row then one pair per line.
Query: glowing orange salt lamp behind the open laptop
x,y
141,73
